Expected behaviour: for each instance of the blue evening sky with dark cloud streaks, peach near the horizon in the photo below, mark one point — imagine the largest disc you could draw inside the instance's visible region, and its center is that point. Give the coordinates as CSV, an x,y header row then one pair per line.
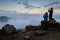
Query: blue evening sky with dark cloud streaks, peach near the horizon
x,y
28,6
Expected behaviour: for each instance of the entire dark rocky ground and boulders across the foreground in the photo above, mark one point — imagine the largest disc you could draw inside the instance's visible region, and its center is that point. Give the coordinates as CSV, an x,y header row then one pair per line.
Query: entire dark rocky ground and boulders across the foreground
x,y
45,31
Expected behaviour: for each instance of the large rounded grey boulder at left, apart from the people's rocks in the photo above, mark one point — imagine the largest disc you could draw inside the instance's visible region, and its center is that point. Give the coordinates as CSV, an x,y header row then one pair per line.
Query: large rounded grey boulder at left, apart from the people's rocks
x,y
7,29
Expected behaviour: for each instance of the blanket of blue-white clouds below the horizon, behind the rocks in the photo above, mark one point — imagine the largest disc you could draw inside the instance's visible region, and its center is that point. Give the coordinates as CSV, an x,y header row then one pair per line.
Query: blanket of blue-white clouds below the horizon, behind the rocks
x,y
20,21
